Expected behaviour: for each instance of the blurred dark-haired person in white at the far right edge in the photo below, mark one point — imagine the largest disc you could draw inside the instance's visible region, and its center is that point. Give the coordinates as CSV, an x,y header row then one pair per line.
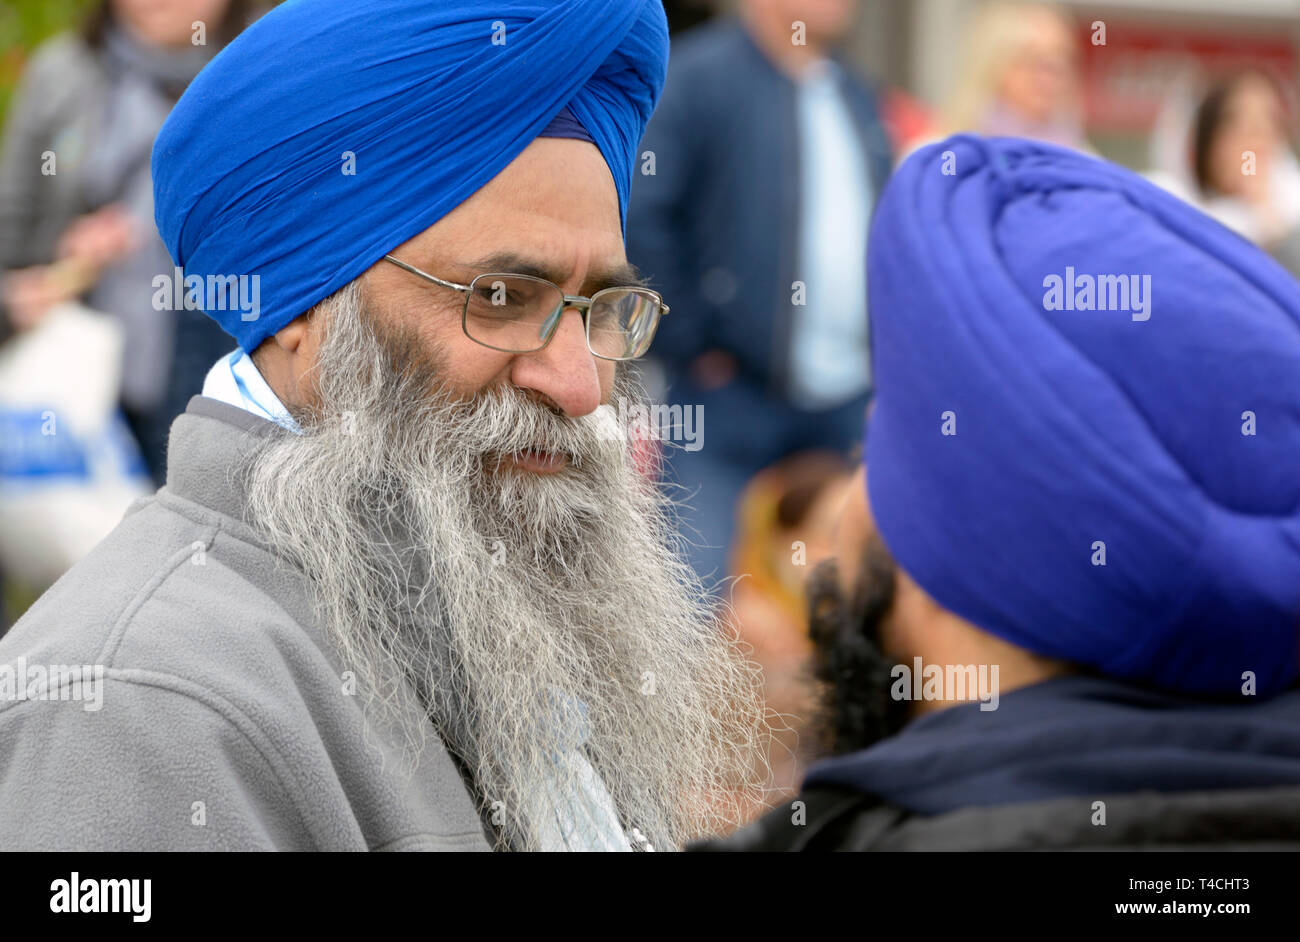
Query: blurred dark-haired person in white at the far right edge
x,y
1233,160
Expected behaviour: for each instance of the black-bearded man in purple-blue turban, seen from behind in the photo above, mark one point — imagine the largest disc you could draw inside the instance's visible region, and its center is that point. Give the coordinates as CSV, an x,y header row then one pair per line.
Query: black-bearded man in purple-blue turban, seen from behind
x,y
1065,610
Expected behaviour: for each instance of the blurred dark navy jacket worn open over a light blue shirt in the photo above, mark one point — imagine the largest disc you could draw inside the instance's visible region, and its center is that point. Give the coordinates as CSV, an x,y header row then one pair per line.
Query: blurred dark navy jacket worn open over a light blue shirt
x,y
716,227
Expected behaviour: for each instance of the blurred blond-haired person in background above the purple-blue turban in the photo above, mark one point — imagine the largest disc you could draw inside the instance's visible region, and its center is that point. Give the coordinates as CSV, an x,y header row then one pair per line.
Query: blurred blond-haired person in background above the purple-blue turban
x,y
1019,77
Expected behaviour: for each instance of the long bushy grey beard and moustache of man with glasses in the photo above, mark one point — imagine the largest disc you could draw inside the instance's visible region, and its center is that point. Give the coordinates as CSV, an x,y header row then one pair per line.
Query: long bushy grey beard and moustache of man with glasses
x,y
501,605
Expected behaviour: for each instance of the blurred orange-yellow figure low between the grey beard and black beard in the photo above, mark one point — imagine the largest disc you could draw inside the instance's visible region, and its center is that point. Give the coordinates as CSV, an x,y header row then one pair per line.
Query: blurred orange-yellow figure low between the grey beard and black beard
x,y
785,527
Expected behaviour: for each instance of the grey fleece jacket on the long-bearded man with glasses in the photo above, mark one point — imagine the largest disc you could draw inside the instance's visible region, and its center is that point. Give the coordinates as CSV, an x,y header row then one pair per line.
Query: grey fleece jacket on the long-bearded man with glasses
x,y
224,723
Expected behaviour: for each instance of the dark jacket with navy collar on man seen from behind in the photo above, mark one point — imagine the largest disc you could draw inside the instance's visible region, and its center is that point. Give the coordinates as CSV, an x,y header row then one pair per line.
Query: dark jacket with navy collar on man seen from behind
x,y
1071,763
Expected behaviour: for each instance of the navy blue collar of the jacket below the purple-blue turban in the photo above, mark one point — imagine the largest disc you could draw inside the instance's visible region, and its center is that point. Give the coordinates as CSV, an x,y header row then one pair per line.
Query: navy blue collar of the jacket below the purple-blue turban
x,y
1076,735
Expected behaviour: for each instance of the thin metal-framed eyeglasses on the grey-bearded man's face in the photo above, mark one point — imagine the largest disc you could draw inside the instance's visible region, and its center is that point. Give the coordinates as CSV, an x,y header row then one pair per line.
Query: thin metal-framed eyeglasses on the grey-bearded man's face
x,y
518,314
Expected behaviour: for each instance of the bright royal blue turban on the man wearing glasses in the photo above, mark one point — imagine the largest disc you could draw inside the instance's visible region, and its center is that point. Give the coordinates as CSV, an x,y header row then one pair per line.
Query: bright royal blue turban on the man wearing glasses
x,y
432,98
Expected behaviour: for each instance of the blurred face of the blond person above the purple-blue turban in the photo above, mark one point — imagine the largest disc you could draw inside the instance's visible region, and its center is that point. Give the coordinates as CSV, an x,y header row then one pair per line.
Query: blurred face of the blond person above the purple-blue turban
x,y
1041,79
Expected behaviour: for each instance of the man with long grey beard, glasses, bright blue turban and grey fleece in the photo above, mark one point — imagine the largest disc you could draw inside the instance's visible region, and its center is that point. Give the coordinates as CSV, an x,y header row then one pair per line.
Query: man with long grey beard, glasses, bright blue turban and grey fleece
x,y
406,587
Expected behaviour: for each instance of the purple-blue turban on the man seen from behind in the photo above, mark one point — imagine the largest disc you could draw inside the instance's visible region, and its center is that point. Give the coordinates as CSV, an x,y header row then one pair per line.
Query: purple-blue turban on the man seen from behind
x,y
1119,489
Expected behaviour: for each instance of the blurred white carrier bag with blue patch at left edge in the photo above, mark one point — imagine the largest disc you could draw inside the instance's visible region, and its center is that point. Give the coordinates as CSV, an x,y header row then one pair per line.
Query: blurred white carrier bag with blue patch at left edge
x,y
70,466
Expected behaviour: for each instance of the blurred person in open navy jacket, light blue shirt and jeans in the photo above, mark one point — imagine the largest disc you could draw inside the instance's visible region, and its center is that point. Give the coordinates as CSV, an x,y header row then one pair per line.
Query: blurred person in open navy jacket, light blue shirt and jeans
x,y
768,154
